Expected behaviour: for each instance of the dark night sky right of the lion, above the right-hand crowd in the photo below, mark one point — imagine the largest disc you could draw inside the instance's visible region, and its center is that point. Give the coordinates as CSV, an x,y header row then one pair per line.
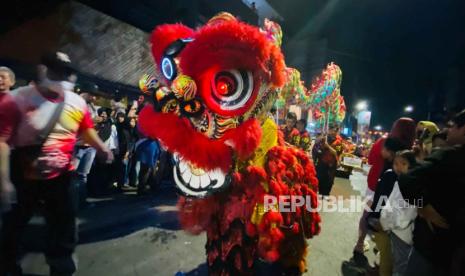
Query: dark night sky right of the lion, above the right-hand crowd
x,y
392,53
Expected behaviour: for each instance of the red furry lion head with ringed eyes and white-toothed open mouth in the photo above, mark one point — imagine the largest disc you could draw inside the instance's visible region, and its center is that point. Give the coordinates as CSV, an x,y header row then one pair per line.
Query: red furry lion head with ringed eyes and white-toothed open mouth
x,y
216,84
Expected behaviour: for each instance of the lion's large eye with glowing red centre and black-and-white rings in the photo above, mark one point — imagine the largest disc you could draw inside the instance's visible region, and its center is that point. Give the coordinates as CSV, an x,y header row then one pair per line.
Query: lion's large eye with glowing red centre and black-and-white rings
x,y
232,89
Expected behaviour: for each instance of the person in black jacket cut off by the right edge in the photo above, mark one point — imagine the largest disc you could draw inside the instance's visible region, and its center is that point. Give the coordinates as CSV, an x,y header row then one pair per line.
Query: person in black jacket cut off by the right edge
x,y
437,187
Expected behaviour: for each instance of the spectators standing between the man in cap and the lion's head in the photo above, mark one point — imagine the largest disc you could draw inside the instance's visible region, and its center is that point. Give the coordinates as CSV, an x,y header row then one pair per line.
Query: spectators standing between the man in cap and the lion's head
x,y
135,156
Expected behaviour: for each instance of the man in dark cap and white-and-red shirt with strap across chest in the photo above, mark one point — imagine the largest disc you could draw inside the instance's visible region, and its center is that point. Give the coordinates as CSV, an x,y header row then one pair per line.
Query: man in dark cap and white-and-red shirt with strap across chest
x,y
51,117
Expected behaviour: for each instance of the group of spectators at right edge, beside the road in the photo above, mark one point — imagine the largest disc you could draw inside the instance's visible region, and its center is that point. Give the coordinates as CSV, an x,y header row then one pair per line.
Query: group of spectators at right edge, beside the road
x,y
416,187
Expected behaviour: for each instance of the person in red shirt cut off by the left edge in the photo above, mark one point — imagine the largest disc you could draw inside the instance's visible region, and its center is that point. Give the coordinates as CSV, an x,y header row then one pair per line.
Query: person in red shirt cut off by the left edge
x,y
7,110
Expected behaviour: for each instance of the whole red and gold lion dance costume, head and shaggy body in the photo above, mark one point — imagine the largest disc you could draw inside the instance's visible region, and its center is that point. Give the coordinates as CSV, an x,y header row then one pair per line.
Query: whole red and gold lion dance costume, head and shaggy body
x,y
210,110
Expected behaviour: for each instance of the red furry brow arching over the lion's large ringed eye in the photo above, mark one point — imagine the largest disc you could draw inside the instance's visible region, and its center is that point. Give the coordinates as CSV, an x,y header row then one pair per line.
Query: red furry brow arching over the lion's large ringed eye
x,y
233,45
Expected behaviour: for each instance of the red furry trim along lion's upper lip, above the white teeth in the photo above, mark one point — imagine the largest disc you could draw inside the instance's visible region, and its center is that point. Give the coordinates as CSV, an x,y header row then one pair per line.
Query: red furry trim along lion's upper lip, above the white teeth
x,y
180,137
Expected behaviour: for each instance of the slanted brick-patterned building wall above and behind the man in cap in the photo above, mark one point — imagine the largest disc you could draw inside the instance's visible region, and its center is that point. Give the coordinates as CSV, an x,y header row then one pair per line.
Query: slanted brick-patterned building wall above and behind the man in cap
x,y
98,44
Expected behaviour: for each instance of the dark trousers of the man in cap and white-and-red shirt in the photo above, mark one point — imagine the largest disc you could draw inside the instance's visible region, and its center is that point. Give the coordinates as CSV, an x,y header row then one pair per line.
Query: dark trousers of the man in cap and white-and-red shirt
x,y
57,197
